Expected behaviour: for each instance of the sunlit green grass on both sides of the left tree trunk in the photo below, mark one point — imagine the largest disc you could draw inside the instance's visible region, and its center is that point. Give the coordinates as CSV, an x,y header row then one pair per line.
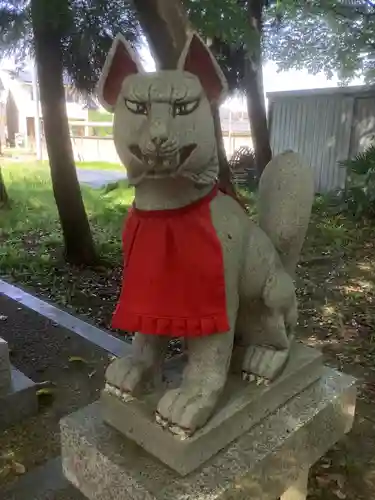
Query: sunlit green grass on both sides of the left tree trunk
x,y
30,235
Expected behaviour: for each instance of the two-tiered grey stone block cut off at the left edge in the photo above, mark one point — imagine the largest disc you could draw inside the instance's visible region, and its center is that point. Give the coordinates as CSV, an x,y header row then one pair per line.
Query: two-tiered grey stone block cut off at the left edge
x,y
17,392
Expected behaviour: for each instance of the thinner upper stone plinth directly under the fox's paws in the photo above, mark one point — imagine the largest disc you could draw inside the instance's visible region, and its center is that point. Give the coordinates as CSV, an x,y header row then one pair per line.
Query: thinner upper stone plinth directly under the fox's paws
x,y
243,405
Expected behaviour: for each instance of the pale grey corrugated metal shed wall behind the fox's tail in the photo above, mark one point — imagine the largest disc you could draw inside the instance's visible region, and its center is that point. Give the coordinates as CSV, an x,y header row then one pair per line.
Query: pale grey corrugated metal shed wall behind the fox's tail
x,y
318,127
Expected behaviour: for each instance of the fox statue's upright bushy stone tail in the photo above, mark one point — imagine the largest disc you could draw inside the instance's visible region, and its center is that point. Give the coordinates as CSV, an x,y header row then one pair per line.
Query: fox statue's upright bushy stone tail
x,y
286,193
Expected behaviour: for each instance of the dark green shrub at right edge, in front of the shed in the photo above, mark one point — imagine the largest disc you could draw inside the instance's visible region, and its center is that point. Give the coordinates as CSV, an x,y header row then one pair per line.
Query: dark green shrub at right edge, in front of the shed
x,y
358,197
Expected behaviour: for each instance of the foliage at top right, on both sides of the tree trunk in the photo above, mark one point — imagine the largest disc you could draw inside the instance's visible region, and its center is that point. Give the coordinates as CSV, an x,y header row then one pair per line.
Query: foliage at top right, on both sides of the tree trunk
x,y
332,36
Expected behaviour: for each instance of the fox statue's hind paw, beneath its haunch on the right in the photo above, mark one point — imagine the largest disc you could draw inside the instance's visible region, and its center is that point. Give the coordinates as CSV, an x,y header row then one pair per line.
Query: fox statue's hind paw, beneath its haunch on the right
x,y
263,364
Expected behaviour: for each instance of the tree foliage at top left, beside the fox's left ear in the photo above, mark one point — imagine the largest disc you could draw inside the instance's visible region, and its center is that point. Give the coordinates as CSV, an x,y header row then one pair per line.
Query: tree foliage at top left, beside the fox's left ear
x,y
85,29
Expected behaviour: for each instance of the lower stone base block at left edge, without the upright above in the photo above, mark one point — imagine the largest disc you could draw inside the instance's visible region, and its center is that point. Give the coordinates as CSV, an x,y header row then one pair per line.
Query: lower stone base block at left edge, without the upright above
x,y
20,401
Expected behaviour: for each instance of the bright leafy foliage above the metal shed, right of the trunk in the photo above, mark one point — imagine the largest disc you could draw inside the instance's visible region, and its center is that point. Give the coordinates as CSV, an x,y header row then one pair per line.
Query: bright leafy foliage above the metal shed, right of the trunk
x,y
332,36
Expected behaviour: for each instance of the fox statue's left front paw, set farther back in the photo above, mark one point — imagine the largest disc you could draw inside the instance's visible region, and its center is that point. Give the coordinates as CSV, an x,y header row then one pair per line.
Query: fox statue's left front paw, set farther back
x,y
126,377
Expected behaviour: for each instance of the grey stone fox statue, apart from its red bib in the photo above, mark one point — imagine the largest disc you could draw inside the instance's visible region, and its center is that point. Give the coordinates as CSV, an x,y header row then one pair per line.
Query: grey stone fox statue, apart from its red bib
x,y
173,162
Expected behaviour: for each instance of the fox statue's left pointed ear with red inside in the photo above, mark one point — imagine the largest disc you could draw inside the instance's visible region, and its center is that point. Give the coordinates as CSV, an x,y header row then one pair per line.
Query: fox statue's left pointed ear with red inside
x,y
121,62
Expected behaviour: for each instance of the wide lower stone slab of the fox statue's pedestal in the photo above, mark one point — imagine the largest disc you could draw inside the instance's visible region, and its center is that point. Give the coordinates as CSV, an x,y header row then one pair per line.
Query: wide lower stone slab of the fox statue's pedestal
x,y
262,464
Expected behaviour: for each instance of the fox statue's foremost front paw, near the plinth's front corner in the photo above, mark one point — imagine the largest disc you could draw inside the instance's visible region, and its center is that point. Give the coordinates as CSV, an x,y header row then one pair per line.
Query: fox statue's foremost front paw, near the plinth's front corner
x,y
183,411
